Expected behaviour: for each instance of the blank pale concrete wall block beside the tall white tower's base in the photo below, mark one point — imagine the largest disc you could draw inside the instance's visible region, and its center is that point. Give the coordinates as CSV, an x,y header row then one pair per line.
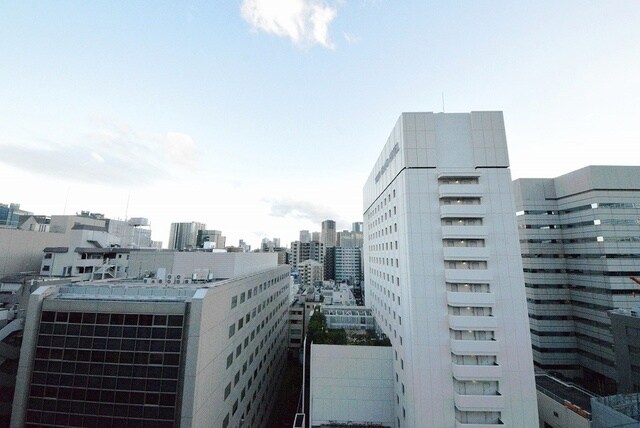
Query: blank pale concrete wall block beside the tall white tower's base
x,y
351,384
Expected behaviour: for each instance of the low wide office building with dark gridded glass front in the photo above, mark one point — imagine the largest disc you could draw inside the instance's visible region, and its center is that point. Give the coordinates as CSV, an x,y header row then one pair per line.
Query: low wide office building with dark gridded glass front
x,y
136,354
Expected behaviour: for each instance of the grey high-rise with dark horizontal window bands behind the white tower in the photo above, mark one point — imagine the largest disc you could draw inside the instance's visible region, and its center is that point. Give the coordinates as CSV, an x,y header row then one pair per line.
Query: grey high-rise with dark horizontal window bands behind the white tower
x,y
580,243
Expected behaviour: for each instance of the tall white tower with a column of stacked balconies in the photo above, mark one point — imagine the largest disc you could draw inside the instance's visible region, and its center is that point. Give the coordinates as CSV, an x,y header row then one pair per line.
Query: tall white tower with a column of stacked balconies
x,y
444,275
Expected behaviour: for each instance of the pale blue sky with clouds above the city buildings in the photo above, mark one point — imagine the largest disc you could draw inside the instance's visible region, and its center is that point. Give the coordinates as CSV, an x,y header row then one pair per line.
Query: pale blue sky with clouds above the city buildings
x,y
262,118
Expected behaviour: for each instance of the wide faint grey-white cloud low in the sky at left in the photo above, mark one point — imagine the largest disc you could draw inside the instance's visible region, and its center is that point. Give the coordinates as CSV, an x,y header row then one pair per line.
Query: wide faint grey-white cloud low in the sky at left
x,y
112,154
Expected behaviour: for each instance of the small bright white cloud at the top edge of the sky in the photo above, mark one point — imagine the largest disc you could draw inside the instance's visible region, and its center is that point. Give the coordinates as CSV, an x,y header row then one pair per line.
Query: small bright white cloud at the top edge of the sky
x,y
305,22
